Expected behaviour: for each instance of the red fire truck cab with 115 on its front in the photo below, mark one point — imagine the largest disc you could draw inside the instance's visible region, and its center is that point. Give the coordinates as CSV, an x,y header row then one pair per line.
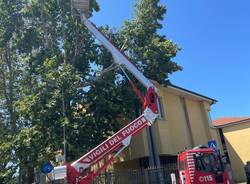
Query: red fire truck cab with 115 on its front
x,y
201,165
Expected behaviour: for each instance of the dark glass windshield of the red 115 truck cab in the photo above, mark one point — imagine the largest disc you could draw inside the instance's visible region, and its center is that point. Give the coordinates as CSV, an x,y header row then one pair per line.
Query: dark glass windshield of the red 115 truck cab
x,y
208,162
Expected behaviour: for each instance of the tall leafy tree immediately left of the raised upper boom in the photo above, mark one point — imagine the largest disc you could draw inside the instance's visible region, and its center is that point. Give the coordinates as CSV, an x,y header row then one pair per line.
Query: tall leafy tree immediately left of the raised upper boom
x,y
56,52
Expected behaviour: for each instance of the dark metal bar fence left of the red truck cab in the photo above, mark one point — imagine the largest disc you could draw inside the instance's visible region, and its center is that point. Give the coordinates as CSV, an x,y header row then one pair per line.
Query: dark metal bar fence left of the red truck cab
x,y
160,175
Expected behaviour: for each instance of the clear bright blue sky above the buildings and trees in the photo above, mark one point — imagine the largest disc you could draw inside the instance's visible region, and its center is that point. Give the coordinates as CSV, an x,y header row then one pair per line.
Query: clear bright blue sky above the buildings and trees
x,y
214,37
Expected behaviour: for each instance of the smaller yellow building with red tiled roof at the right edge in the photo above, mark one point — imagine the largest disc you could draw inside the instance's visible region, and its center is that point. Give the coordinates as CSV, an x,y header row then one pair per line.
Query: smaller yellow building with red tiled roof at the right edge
x,y
235,136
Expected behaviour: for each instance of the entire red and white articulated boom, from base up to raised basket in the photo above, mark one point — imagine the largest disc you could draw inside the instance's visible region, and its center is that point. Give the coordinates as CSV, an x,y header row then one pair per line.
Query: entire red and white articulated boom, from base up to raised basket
x,y
79,172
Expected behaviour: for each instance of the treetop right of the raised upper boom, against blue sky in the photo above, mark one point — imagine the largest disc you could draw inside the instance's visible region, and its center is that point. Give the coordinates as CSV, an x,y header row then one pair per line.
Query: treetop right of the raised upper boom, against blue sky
x,y
151,51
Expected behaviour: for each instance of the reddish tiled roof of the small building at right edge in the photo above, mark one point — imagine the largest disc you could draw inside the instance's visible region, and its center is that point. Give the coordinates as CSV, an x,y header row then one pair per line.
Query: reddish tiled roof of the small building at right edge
x,y
226,121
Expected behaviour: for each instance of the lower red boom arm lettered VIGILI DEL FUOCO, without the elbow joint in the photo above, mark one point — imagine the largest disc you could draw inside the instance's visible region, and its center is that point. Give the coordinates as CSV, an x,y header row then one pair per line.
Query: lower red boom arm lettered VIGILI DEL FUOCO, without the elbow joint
x,y
112,146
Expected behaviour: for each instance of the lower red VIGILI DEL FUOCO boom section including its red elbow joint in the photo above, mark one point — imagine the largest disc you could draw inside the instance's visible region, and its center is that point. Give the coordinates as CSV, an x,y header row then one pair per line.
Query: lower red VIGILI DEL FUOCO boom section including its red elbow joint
x,y
113,146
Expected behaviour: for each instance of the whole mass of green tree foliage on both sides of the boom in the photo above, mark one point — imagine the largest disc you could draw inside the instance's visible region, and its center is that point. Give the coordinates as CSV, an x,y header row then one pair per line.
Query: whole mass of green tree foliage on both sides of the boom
x,y
46,56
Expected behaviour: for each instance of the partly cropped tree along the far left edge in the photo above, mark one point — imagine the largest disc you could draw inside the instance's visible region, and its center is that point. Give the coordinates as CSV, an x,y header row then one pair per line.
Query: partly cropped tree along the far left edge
x,y
10,26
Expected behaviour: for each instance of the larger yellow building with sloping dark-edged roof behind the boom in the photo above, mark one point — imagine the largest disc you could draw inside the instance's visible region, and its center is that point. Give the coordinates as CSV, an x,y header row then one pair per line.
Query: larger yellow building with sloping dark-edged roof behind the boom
x,y
184,122
